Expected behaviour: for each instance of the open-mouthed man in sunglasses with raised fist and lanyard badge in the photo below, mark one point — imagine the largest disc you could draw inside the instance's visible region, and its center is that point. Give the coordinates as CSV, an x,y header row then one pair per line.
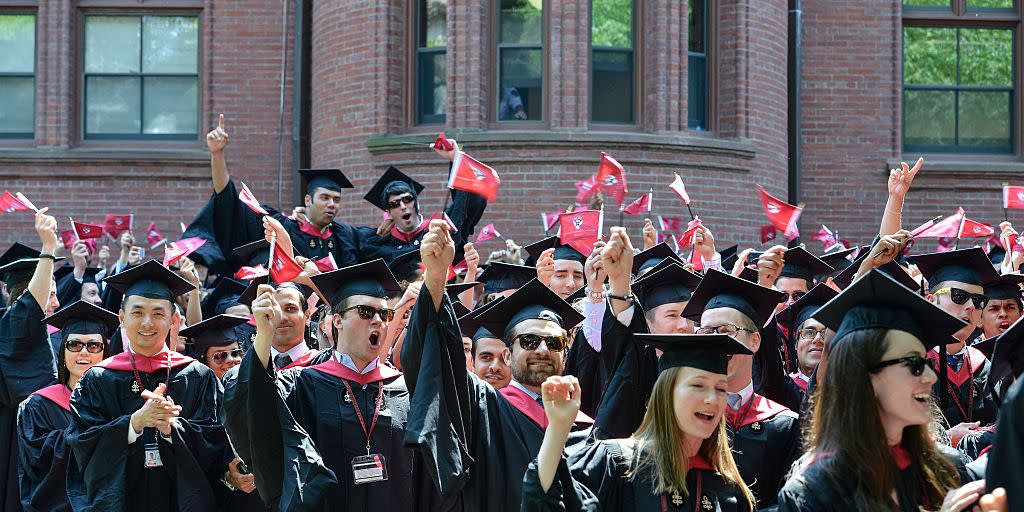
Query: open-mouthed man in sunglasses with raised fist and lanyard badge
x,y
330,437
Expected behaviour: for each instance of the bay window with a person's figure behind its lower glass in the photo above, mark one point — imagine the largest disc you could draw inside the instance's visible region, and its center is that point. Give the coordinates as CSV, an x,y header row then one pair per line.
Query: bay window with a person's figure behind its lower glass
x,y
521,61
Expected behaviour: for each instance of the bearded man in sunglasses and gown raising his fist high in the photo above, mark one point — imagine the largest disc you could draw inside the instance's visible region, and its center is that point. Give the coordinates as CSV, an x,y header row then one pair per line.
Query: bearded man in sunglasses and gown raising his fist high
x,y
479,441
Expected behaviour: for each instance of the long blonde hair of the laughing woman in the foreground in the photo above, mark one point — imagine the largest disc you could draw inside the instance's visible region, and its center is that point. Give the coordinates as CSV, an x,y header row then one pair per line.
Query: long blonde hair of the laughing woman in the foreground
x,y
659,443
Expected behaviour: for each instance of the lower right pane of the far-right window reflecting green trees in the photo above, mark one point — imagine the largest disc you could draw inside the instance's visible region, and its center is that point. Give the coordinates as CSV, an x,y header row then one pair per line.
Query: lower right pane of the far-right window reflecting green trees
x,y
985,120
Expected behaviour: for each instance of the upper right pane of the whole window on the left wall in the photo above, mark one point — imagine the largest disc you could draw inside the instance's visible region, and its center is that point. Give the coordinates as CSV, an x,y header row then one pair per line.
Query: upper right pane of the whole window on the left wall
x,y
172,45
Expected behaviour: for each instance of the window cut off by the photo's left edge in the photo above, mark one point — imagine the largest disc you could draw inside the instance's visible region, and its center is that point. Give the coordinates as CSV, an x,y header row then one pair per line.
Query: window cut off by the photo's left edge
x,y
18,80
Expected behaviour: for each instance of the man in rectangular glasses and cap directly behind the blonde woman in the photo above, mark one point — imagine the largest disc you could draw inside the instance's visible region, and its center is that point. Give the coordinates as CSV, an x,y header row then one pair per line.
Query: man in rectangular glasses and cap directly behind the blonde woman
x,y
764,435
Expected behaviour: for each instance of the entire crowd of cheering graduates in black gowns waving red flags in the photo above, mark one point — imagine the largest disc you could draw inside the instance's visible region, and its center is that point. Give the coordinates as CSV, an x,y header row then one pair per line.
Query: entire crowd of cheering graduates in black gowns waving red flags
x,y
288,361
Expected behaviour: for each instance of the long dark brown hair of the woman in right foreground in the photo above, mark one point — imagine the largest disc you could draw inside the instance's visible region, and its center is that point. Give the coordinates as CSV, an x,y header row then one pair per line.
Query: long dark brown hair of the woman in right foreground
x,y
847,433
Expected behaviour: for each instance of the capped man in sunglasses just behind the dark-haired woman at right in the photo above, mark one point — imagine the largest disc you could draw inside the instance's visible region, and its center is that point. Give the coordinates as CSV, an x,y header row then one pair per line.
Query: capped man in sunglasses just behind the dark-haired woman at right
x,y
956,282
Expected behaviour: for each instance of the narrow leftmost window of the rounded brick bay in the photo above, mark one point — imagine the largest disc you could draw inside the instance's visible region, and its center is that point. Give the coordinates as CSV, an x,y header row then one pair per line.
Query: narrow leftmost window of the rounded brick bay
x,y
432,82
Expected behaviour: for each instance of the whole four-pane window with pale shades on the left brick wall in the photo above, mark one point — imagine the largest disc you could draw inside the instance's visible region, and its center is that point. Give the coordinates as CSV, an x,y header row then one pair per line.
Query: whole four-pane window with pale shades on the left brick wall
x,y
142,77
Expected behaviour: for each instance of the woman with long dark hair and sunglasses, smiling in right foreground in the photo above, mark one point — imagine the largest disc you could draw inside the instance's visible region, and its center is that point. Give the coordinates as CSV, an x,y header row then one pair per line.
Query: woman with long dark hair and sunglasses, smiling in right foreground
x,y
871,447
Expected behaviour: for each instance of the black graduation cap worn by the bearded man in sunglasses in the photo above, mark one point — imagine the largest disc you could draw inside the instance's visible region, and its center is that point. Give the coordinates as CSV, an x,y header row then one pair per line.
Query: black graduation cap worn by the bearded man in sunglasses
x,y
533,302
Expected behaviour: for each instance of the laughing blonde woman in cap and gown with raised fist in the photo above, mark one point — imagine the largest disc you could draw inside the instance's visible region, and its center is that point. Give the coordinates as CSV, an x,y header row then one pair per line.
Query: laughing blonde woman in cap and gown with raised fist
x,y
678,459
